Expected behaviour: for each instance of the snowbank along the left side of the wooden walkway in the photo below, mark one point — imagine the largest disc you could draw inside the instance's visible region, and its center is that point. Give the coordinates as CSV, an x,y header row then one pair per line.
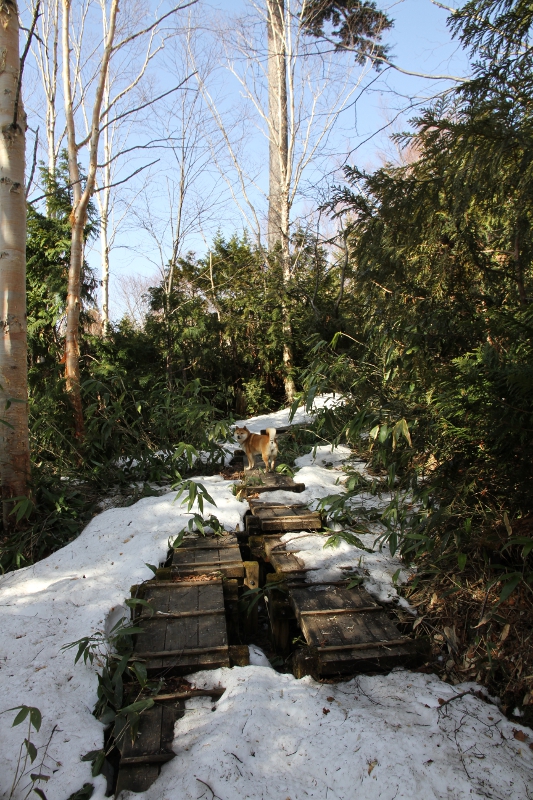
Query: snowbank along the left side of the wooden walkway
x,y
69,595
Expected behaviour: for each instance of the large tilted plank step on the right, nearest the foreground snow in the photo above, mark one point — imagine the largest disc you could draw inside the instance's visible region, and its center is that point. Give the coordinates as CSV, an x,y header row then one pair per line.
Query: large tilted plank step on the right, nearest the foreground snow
x,y
347,632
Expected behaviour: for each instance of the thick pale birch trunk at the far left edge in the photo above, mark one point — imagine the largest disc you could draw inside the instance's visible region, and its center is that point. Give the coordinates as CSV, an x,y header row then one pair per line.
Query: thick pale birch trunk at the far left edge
x,y
14,441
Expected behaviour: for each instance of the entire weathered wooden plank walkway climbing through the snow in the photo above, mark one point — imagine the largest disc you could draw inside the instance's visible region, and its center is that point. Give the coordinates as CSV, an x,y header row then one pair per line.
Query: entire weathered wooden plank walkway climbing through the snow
x,y
194,623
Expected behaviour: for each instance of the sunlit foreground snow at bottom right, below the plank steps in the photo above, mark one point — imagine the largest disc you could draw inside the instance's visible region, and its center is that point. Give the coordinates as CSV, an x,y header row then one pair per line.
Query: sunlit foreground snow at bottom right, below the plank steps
x,y
272,737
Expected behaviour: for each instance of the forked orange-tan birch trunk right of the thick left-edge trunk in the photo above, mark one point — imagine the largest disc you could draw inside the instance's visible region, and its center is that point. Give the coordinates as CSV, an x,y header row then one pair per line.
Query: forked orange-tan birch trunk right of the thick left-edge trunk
x,y
81,199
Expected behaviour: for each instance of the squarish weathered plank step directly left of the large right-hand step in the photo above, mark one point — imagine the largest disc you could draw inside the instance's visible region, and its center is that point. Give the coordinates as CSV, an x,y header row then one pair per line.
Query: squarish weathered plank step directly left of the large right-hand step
x,y
182,638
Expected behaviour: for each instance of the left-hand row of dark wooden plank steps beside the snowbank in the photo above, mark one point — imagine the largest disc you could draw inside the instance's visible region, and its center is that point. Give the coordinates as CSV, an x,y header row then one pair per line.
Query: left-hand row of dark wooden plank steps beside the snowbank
x,y
192,617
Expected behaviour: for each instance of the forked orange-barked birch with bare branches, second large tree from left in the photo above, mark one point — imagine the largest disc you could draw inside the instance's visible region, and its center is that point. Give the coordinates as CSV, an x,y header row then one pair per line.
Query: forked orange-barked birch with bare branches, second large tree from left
x,y
87,75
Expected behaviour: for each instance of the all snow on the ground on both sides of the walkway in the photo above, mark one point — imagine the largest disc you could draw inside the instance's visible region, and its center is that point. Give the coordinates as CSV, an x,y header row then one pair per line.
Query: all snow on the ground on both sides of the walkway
x,y
271,737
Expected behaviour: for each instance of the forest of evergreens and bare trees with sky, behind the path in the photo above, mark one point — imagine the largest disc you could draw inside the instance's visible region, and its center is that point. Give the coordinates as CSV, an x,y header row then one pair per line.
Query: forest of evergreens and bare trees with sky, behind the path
x,y
405,288
